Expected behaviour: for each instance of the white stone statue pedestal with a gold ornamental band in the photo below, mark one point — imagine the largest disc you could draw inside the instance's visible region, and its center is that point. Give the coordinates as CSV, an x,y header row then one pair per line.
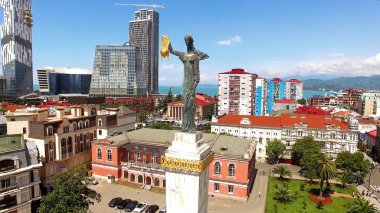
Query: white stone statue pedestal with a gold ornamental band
x,y
187,170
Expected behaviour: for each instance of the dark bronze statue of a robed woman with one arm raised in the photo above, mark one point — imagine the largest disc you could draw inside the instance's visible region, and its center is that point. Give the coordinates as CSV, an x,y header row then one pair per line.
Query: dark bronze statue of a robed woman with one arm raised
x,y
190,60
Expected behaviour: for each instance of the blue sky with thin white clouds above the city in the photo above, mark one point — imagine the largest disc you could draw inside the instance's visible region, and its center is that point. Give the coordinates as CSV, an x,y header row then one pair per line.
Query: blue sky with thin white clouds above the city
x,y
273,38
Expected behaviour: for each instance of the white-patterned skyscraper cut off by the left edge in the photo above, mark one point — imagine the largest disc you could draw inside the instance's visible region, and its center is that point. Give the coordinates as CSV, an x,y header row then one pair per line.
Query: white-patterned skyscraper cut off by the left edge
x,y
16,46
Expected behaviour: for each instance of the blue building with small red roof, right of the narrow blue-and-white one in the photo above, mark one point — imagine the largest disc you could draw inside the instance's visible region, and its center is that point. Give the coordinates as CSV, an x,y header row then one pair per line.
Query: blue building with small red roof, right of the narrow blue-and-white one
x,y
276,91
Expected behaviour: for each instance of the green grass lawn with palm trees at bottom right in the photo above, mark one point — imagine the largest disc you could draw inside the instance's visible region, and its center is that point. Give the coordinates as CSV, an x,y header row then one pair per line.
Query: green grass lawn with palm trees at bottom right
x,y
339,205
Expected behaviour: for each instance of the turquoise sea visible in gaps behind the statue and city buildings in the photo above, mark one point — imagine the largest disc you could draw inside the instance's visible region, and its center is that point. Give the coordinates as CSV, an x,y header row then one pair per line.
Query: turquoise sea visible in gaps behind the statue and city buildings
x,y
211,89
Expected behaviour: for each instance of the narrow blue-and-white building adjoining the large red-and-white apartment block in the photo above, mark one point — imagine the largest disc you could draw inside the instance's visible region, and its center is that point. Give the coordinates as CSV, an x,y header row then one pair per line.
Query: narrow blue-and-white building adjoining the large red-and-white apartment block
x,y
260,96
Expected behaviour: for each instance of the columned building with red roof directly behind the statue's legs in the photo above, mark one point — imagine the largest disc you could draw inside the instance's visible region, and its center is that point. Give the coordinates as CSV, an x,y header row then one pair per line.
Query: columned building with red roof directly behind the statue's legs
x,y
204,105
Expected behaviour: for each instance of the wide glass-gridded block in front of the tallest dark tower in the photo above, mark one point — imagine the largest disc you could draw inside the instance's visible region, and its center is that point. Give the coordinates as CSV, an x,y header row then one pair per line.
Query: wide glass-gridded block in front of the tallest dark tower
x,y
117,72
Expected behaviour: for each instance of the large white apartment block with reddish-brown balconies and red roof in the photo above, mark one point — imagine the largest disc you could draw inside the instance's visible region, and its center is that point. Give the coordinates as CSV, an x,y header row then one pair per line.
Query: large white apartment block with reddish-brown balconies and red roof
x,y
236,92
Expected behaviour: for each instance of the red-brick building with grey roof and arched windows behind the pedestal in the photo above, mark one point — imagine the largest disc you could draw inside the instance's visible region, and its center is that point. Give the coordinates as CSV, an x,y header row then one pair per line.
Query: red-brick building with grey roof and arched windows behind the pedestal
x,y
135,158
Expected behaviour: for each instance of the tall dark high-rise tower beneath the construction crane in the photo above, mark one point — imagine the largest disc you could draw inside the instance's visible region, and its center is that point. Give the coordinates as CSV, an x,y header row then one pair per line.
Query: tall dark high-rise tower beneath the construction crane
x,y
144,33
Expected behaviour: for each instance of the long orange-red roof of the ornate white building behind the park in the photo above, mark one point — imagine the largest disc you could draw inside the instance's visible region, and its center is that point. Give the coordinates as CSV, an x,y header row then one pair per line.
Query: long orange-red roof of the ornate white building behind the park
x,y
284,120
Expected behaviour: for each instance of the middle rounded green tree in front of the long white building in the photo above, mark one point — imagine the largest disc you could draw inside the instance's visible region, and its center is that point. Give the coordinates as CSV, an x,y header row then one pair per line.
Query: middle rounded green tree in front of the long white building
x,y
305,146
